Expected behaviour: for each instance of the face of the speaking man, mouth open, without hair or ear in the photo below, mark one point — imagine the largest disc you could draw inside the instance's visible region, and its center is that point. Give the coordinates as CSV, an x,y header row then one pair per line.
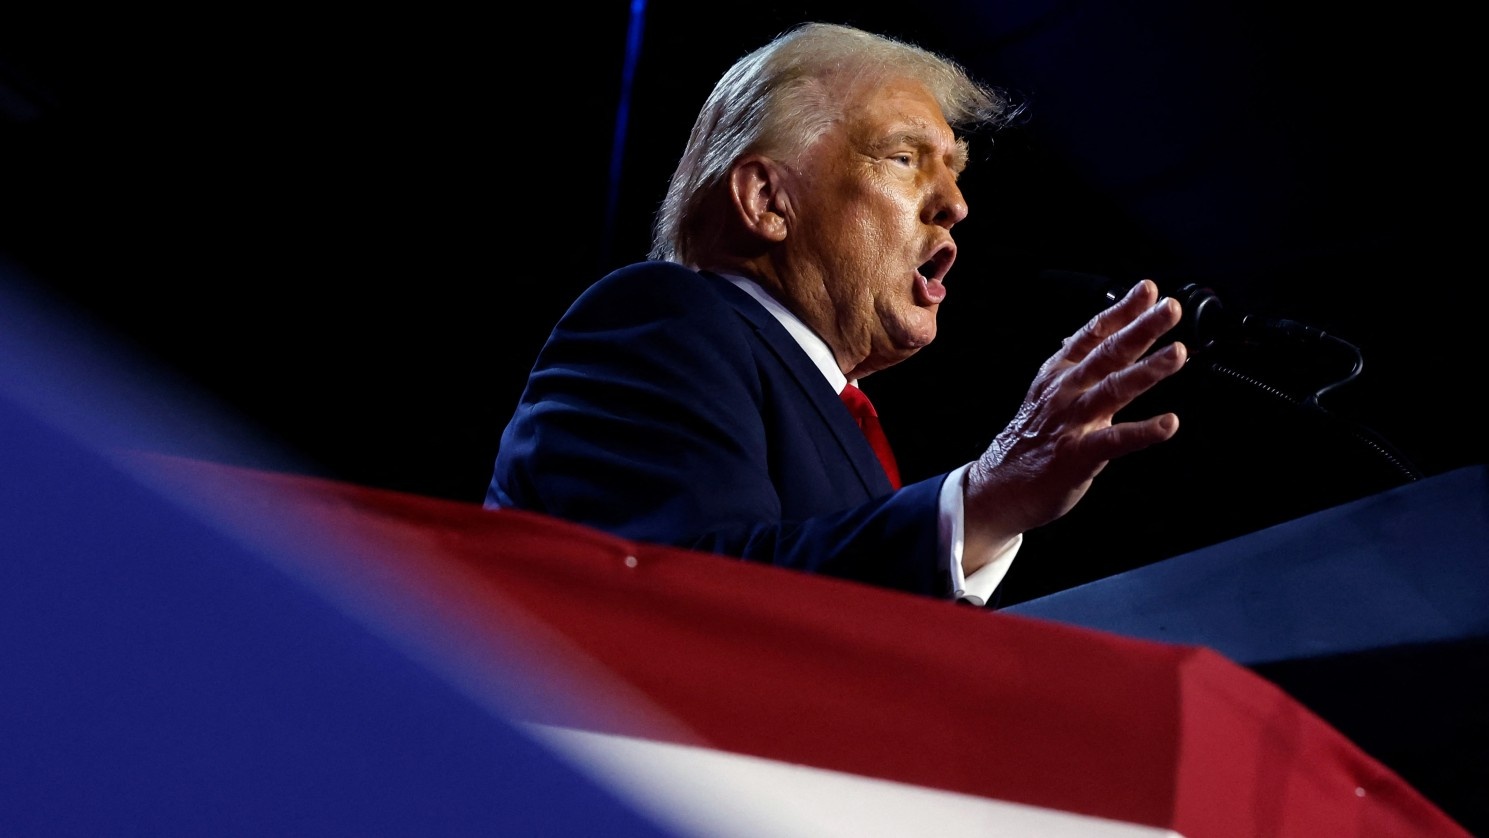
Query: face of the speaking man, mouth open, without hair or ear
x,y
870,237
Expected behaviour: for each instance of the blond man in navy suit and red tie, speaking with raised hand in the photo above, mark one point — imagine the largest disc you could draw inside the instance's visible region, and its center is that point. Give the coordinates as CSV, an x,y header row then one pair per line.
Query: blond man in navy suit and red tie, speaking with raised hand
x,y
707,398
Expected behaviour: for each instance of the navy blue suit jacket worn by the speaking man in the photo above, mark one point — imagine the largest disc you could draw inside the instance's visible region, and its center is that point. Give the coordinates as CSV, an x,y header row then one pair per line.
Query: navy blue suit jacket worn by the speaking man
x,y
671,407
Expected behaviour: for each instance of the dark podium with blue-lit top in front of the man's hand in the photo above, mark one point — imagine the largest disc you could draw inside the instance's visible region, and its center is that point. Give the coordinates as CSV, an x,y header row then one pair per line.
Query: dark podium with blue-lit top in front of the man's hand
x,y
1374,614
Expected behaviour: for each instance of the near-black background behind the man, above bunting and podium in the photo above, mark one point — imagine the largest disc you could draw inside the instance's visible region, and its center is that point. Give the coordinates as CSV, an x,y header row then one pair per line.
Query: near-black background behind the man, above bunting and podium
x,y
357,230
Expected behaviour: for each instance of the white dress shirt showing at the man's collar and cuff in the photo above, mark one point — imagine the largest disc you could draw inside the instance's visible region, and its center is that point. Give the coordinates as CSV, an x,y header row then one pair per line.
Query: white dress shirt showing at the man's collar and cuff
x,y
981,584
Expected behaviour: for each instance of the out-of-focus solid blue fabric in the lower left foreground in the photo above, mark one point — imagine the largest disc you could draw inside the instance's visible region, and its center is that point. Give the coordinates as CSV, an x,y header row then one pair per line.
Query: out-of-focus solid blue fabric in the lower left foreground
x,y
163,678
